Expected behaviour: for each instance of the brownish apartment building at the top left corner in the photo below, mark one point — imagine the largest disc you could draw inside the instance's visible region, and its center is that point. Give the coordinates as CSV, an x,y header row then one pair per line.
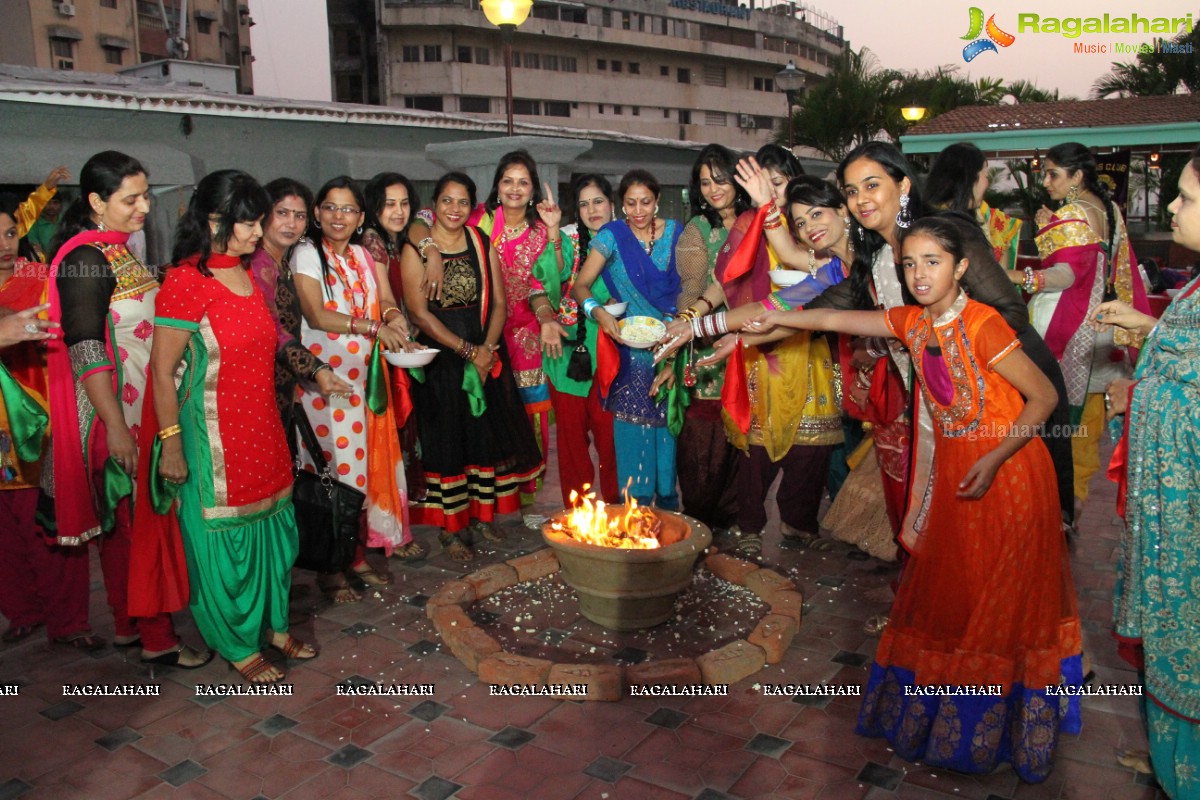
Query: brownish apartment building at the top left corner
x,y
111,35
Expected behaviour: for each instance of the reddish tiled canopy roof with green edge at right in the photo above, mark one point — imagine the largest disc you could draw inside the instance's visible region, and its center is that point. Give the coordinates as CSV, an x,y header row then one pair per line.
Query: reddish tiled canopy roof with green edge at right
x,y
1167,123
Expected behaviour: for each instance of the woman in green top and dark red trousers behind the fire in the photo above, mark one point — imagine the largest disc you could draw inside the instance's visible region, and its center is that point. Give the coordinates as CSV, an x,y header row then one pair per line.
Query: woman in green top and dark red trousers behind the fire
x,y
569,352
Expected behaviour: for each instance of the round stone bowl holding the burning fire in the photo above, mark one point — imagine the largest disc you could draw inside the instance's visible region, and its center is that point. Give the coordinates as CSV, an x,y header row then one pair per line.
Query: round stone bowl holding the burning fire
x,y
631,590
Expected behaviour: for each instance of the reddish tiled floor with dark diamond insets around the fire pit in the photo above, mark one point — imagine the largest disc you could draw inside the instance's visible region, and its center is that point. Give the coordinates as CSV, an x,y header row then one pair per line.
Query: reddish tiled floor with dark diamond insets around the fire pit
x,y
460,743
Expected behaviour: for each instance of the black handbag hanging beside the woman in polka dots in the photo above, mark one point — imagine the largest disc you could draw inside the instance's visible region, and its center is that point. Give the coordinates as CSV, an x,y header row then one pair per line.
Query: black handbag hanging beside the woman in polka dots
x,y
328,512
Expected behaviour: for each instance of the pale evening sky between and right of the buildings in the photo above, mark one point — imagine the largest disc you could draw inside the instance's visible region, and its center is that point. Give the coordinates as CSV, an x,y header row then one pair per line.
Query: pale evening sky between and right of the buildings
x,y
292,49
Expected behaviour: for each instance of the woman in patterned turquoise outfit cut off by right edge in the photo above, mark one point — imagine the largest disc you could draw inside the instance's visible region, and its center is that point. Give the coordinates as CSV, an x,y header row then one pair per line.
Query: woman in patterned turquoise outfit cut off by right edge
x,y
1159,466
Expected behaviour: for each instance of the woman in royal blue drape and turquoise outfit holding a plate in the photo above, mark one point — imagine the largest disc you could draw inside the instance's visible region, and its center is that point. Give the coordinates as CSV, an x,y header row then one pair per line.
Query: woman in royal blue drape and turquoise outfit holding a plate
x,y
635,258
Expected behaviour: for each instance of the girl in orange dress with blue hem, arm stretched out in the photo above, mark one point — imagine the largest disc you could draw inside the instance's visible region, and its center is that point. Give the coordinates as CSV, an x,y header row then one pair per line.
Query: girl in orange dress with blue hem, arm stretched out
x,y
985,624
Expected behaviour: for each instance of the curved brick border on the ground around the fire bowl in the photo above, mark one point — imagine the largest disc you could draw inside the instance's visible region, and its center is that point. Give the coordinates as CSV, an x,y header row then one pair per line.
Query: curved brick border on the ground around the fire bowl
x,y
483,655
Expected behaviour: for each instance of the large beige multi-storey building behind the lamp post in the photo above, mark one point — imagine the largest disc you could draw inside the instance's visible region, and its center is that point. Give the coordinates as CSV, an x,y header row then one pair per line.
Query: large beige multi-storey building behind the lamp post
x,y
691,70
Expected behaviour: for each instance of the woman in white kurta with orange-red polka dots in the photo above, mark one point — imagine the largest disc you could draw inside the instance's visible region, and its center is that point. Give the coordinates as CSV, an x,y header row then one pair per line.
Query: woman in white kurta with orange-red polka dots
x,y
347,302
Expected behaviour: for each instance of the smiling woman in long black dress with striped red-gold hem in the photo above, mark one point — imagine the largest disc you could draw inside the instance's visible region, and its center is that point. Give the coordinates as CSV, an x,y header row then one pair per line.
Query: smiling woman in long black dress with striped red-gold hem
x,y
478,447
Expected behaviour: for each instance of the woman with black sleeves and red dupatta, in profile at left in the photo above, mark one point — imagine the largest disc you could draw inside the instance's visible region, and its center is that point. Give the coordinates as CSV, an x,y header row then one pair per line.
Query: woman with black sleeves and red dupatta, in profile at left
x,y
105,299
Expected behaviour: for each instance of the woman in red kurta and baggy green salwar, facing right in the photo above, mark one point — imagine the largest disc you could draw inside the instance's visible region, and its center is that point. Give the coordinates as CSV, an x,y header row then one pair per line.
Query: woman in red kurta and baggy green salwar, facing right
x,y
223,449
